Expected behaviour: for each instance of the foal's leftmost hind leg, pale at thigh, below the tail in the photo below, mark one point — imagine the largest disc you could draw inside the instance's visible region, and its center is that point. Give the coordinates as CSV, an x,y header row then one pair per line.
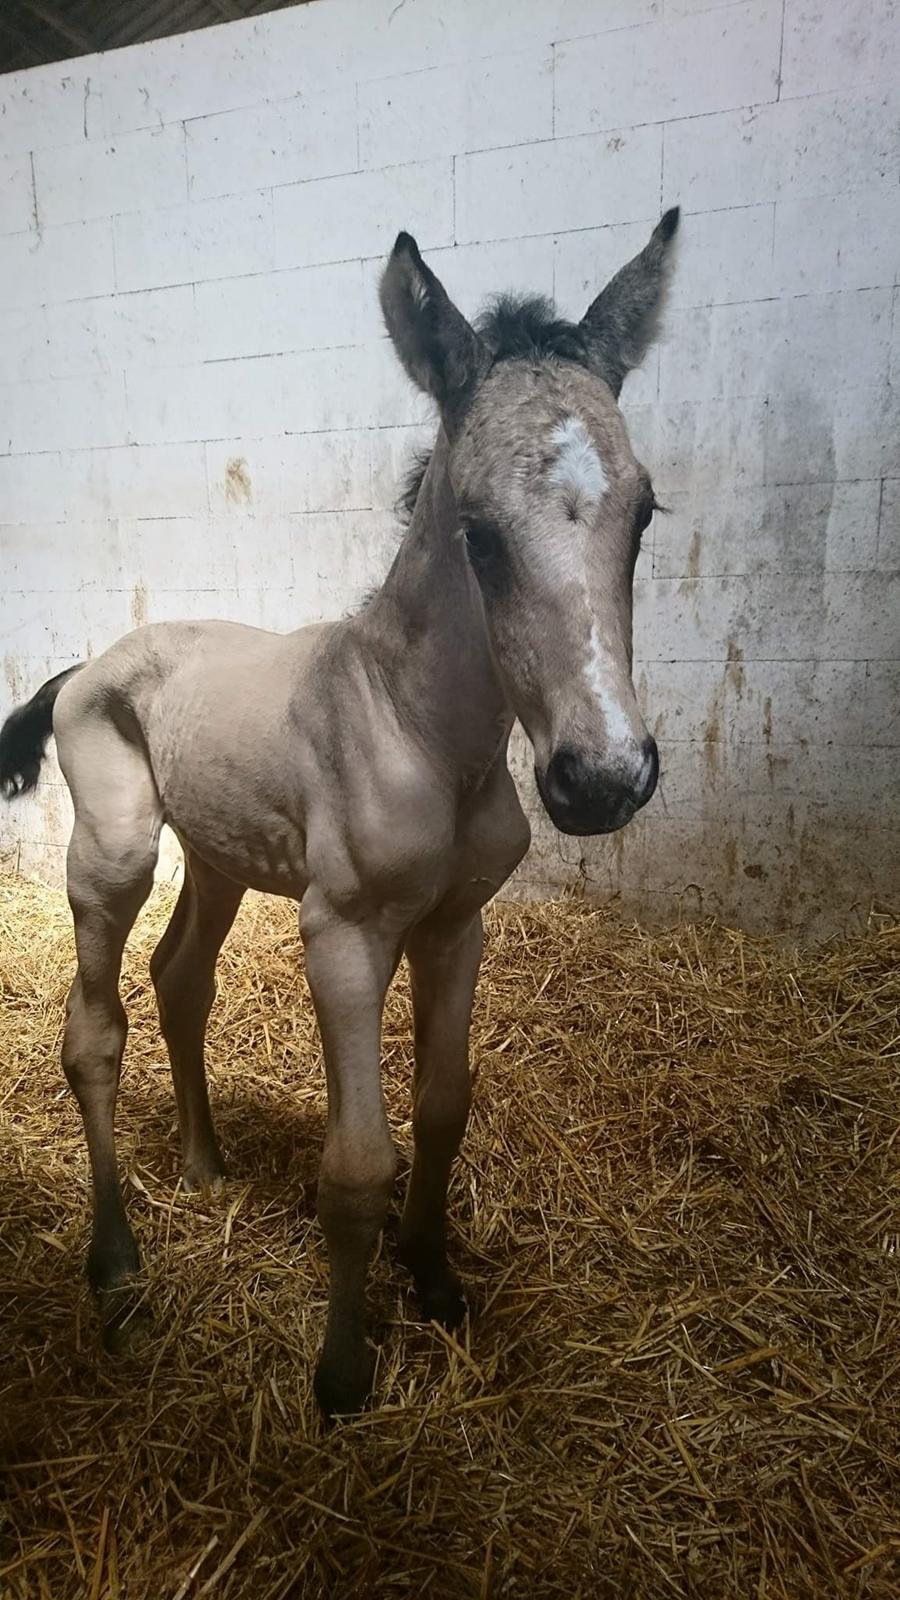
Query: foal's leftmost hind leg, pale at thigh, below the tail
x,y
110,876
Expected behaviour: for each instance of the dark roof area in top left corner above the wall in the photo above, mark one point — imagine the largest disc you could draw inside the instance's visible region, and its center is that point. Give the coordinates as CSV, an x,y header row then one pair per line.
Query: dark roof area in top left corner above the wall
x,y
39,31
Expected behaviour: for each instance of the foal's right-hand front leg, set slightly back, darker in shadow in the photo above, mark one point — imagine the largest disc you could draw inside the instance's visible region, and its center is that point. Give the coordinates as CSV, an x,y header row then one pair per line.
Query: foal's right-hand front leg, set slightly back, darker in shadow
x,y
444,962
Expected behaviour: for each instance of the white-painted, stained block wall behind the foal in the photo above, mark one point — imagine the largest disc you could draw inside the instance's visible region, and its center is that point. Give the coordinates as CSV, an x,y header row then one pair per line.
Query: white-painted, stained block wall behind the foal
x,y
199,414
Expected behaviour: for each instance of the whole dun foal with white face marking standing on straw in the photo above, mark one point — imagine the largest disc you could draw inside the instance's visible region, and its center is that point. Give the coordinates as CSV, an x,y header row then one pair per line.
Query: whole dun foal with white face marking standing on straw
x,y
360,767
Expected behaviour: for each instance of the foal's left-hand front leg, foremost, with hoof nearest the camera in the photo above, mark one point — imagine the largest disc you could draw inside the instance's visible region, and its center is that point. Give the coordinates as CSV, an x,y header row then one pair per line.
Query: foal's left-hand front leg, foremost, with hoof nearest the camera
x,y
350,967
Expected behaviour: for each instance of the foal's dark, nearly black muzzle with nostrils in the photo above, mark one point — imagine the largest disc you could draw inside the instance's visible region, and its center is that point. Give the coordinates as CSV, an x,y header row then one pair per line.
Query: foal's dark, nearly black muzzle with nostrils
x,y
584,796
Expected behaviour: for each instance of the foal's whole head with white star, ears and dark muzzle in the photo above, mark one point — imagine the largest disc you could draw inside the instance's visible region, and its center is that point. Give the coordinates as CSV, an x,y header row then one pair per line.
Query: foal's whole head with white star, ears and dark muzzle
x,y
552,505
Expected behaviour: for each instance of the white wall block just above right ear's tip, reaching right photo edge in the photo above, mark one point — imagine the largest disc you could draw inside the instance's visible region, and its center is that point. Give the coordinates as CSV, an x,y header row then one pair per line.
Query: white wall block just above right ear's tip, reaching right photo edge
x,y
824,146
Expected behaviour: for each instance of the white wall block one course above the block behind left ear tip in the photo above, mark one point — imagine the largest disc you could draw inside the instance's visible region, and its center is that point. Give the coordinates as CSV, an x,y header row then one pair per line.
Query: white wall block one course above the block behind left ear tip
x,y
446,111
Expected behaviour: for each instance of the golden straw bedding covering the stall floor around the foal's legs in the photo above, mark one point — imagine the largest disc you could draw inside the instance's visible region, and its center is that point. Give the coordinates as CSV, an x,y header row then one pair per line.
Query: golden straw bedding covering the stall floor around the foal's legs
x,y
678,1215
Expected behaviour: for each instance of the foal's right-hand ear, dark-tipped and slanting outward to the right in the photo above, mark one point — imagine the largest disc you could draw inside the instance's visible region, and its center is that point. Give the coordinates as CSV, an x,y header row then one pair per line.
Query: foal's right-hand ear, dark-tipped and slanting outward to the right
x,y
624,321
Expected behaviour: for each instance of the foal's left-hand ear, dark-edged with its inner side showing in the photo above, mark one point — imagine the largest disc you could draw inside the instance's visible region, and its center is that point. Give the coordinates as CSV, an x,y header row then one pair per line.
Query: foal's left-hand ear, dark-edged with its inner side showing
x,y
433,340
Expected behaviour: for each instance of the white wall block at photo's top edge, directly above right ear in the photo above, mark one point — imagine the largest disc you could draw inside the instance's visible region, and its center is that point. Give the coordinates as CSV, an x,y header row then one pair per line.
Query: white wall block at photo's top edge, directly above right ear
x,y
664,70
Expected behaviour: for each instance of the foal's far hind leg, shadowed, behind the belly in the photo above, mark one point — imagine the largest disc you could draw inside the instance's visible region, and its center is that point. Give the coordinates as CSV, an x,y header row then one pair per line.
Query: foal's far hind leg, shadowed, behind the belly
x,y
183,970
